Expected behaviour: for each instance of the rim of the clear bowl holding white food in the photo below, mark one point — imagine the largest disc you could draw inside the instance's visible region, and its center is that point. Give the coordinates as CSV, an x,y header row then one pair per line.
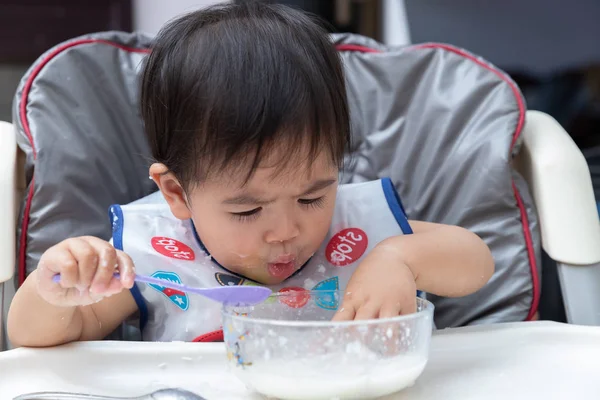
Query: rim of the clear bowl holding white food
x,y
426,311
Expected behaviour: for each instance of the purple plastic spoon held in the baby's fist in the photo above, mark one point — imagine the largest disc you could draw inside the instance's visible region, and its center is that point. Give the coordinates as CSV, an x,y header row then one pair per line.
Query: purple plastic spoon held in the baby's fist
x,y
247,295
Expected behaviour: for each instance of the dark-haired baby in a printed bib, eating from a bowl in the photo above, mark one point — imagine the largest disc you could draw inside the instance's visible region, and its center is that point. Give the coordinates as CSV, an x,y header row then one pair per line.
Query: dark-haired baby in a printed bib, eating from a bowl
x,y
246,114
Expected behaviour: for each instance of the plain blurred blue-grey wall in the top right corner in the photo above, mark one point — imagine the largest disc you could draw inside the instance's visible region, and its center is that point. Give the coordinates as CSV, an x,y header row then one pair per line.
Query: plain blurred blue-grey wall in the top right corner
x,y
535,36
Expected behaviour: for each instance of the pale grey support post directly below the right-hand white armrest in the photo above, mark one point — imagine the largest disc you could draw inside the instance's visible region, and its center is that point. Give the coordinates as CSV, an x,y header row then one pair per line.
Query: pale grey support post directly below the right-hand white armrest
x,y
581,293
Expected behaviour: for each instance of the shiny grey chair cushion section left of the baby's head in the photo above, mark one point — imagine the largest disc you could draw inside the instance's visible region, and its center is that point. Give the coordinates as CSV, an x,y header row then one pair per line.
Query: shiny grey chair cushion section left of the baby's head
x,y
77,119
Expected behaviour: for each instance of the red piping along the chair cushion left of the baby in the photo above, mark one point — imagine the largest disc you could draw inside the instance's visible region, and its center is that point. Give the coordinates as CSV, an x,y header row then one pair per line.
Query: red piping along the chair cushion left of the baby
x,y
26,128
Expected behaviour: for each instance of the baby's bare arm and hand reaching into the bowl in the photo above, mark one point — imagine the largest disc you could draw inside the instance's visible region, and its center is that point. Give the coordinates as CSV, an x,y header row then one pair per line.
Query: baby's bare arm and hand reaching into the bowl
x,y
439,259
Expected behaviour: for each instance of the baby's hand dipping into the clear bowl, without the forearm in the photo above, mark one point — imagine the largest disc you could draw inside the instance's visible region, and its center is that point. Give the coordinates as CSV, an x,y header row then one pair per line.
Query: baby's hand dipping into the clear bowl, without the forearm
x,y
381,287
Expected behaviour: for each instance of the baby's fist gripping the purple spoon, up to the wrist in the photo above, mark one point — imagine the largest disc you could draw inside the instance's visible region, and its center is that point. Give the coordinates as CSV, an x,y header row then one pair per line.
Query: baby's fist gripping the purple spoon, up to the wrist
x,y
86,266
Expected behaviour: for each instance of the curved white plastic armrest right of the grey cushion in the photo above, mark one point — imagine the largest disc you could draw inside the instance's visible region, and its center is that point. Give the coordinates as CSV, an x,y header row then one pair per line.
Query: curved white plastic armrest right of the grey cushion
x,y
561,185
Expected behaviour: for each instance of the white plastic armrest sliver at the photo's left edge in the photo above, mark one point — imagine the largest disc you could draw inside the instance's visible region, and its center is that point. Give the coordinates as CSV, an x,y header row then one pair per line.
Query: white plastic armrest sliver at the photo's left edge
x,y
8,170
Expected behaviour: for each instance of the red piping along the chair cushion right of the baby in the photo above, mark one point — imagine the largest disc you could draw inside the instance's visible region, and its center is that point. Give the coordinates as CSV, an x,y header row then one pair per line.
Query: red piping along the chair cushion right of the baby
x,y
521,121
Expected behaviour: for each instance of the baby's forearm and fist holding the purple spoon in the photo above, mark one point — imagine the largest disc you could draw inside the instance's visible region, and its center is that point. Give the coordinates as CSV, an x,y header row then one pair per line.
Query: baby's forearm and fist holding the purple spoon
x,y
45,313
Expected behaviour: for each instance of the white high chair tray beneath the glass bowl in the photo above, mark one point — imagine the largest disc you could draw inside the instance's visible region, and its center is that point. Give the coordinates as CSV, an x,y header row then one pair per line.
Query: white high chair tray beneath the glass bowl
x,y
535,360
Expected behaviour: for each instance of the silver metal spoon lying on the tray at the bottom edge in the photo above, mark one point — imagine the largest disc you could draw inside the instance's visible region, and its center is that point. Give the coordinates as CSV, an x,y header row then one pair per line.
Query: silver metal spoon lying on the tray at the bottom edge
x,y
162,394
